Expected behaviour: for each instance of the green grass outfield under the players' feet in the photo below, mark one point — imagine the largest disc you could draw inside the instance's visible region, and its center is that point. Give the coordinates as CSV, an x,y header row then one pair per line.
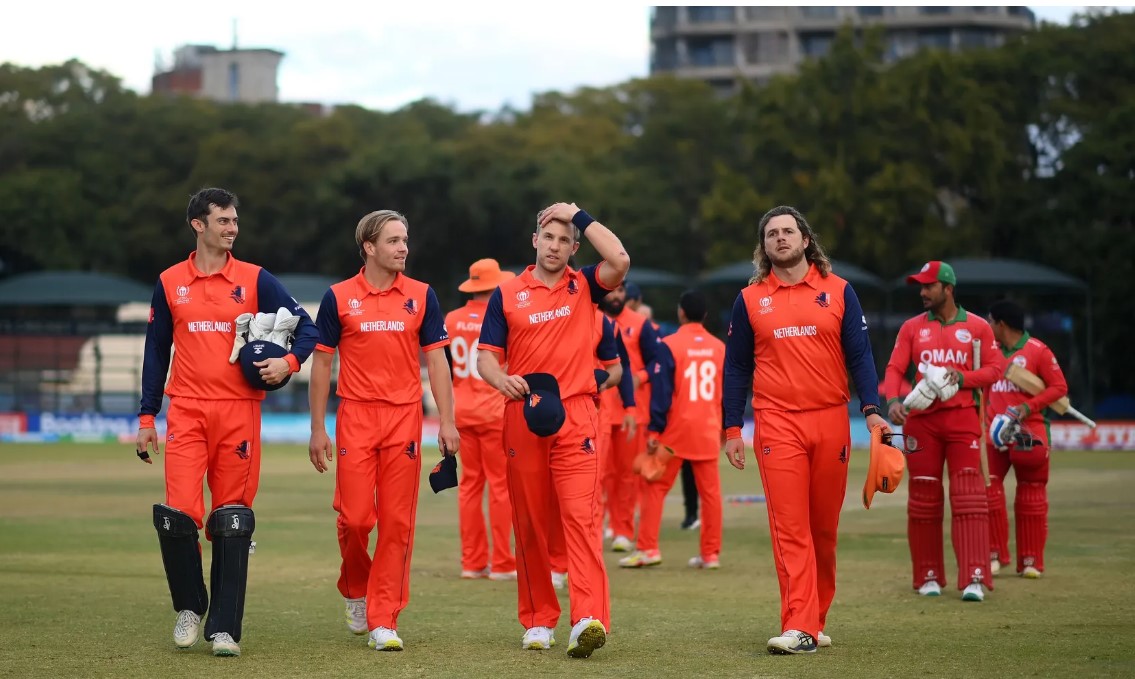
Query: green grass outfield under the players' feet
x,y
85,594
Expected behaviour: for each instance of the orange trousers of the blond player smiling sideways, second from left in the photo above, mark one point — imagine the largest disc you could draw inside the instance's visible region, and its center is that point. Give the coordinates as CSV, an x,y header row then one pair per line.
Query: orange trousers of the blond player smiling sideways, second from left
x,y
377,477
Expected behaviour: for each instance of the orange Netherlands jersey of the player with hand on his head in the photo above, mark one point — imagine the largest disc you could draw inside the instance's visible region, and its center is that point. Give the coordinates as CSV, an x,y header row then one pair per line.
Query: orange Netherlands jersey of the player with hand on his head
x,y
537,329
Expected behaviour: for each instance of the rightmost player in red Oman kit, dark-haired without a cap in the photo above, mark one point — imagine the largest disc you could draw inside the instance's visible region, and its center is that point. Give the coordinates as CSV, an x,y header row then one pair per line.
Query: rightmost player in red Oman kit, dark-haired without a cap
x,y
1020,439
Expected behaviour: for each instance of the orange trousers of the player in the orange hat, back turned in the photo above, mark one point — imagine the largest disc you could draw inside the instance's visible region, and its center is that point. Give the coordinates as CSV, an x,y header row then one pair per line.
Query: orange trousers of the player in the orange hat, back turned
x,y
483,464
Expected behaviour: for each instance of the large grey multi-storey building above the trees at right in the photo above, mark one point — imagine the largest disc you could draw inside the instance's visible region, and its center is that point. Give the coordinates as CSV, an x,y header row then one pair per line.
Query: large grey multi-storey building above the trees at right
x,y
725,46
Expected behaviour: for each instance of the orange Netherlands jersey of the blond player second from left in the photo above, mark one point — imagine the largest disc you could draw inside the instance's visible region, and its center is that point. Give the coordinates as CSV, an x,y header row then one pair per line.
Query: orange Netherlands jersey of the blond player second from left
x,y
379,334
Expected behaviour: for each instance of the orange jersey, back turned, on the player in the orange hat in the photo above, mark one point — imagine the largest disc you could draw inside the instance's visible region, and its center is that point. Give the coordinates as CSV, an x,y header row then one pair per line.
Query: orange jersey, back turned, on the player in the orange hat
x,y
476,403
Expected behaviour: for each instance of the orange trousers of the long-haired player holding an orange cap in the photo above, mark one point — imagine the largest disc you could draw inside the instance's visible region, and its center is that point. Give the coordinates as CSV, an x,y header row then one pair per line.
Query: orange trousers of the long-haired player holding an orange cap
x,y
803,457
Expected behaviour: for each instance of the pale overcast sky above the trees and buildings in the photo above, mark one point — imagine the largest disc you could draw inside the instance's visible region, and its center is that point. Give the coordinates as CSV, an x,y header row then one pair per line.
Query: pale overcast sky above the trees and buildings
x,y
381,55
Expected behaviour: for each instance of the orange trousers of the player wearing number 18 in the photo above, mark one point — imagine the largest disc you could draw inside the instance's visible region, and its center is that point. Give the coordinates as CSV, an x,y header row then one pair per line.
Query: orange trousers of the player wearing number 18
x,y
708,479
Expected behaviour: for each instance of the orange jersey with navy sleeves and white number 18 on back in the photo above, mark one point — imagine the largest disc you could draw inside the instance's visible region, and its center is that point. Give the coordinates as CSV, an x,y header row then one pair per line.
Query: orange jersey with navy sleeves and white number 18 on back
x,y
686,381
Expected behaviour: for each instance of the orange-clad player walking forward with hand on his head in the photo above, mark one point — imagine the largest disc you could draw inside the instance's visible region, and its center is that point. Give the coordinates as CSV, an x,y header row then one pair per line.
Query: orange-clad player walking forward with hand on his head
x,y
543,323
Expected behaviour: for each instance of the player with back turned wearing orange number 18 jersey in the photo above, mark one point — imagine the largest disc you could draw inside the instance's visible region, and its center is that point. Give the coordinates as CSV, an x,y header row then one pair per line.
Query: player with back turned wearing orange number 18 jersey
x,y
686,380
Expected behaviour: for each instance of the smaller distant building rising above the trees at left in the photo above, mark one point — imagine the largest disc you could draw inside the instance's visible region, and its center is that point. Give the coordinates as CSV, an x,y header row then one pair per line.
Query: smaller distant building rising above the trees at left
x,y
238,76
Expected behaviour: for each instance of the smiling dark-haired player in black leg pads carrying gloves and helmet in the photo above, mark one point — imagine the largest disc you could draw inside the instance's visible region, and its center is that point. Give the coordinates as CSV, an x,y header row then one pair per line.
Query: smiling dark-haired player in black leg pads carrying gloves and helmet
x,y
214,418
